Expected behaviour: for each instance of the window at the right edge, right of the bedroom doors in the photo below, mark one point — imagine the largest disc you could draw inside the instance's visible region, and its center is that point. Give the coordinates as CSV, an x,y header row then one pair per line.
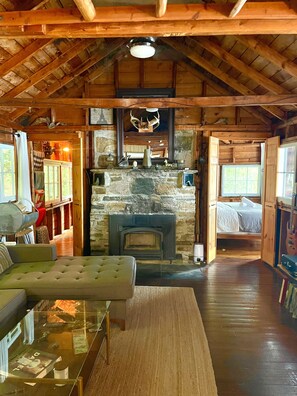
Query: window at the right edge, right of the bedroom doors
x,y
286,172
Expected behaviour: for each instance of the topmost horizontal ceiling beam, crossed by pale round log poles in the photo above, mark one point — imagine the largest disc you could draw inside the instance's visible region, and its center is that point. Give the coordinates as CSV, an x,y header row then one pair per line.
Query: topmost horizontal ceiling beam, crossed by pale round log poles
x,y
142,13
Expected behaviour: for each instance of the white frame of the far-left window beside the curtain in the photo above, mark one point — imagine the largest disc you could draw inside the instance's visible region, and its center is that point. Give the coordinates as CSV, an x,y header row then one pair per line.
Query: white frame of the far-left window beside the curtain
x,y
12,173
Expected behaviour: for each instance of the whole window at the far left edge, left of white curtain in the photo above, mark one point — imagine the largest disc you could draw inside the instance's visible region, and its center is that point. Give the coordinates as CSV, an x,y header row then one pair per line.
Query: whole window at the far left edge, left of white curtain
x,y
7,173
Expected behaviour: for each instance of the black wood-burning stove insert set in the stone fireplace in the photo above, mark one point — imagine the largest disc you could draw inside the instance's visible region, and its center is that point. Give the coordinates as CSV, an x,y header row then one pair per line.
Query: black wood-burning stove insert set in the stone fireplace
x,y
144,236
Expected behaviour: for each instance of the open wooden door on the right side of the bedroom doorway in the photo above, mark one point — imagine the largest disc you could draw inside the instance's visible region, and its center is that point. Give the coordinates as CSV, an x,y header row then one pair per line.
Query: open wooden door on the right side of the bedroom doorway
x,y
268,253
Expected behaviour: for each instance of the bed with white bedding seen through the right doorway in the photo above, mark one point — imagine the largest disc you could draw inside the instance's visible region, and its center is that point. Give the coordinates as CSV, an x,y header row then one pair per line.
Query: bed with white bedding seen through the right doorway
x,y
239,217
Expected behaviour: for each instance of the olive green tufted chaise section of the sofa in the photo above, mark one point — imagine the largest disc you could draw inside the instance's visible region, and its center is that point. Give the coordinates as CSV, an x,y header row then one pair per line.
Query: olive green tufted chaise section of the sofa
x,y
37,269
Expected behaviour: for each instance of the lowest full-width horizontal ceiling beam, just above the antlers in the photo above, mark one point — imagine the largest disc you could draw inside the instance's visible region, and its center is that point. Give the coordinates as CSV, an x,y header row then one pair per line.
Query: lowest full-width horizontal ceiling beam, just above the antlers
x,y
179,102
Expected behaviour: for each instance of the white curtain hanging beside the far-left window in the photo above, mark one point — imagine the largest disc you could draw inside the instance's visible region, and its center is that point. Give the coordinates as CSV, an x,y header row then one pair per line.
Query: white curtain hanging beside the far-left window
x,y
23,182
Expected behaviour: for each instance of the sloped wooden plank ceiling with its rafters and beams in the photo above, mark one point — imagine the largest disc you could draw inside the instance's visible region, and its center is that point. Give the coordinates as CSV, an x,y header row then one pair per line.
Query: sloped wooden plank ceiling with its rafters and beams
x,y
50,49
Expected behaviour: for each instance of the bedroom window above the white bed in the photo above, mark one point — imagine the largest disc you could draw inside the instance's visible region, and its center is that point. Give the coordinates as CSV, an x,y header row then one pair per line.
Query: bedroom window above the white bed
x,y
241,180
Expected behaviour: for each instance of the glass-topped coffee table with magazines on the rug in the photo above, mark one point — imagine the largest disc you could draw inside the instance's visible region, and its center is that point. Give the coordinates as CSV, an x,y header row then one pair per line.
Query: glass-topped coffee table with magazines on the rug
x,y
53,348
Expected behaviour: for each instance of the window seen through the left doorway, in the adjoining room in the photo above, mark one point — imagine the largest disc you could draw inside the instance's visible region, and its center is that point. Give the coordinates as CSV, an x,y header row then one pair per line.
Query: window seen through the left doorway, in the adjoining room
x,y
57,181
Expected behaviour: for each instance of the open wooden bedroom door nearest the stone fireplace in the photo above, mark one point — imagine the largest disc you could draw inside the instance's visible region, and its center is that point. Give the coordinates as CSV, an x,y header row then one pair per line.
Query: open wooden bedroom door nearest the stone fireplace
x,y
212,194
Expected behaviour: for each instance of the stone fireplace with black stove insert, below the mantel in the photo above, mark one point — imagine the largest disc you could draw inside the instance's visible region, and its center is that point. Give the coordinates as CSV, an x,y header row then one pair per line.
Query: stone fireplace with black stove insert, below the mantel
x,y
143,195
